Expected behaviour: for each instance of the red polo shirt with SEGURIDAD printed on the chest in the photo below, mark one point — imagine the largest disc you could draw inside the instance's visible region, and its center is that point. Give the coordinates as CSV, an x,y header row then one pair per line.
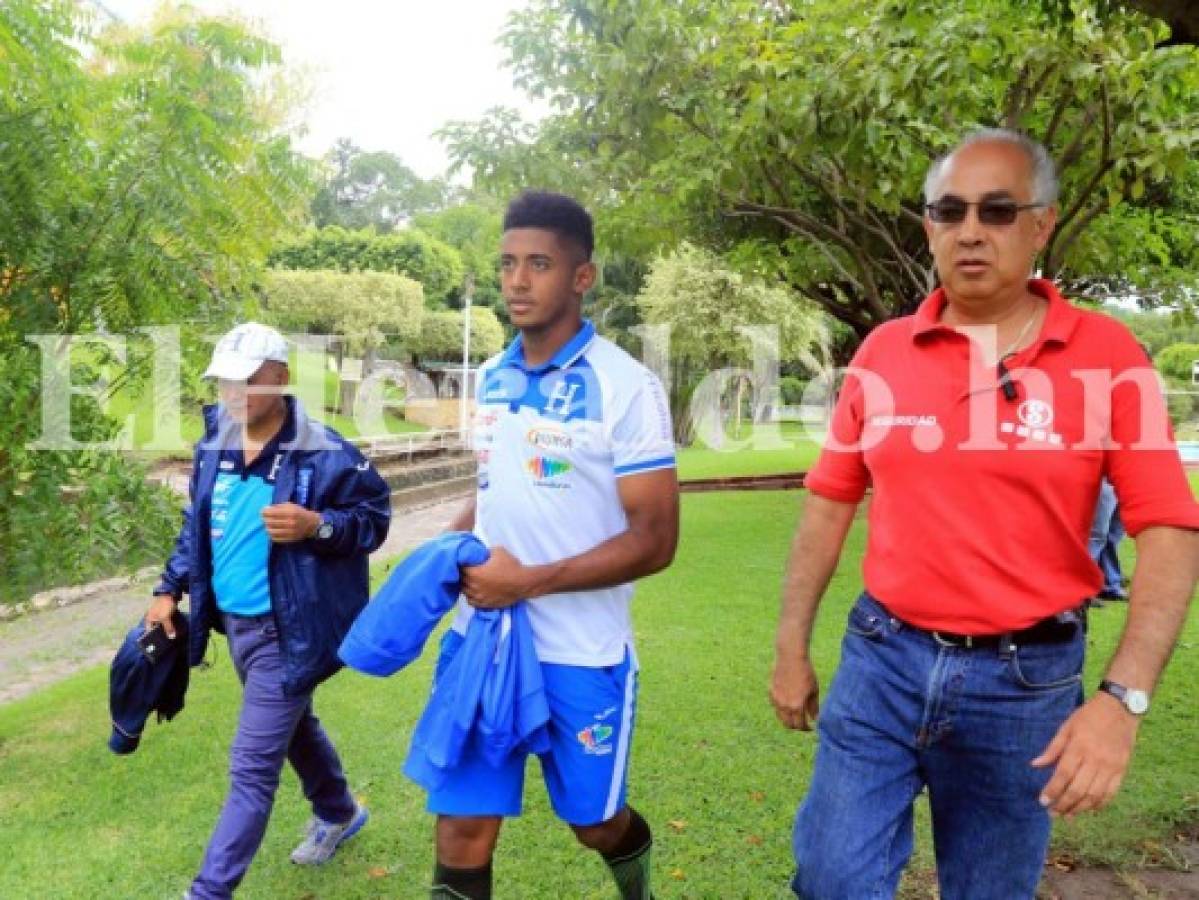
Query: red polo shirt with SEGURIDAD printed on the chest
x,y
983,505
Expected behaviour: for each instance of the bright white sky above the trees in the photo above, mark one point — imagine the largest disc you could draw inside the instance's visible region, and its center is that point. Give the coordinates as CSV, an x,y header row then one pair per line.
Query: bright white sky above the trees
x,y
385,75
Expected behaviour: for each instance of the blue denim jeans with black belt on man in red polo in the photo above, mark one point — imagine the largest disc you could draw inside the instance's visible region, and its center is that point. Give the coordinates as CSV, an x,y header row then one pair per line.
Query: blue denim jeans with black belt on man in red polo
x,y
907,714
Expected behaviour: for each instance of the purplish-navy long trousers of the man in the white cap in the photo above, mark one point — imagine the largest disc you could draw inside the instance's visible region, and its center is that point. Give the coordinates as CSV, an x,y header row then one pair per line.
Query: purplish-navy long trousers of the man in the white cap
x,y
272,728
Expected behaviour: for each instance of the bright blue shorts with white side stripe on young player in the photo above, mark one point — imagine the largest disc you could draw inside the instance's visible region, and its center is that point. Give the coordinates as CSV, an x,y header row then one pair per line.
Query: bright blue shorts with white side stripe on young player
x,y
592,714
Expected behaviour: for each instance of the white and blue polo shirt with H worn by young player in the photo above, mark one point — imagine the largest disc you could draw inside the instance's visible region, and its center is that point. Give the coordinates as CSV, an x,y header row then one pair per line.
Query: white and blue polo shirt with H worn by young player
x,y
552,443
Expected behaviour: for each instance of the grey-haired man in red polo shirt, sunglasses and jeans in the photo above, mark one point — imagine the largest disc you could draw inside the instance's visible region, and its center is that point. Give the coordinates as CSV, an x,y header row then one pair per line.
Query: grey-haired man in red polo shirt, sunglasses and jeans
x,y
984,426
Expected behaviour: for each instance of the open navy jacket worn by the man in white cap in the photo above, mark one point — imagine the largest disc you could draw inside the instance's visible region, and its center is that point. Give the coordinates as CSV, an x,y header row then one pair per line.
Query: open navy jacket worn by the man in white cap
x,y
318,587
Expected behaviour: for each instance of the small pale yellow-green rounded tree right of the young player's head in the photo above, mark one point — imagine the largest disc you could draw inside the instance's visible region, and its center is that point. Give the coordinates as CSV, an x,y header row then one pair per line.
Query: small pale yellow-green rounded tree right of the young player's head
x,y
708,307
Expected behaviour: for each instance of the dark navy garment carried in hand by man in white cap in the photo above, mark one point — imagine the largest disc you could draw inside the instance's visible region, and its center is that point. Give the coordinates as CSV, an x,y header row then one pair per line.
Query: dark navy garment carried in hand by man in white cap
x,y
138,687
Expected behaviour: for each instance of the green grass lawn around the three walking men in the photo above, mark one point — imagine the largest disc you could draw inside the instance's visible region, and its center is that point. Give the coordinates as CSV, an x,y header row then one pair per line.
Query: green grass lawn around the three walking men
x,y
712,770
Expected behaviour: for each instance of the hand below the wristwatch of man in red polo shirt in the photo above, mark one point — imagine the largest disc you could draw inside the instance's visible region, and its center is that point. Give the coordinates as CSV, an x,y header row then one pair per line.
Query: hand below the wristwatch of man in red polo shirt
x,y
1092,753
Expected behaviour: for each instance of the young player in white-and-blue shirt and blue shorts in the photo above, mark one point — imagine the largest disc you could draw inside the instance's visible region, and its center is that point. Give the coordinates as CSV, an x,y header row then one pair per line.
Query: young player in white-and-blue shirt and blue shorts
x,y
577,499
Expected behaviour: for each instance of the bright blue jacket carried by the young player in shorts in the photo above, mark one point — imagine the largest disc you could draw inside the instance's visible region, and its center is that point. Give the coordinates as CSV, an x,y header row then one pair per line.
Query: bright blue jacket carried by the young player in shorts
x,y
491,693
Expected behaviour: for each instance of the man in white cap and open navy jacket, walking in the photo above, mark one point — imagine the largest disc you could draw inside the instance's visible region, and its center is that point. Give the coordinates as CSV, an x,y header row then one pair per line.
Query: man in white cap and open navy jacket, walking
x,y
274,554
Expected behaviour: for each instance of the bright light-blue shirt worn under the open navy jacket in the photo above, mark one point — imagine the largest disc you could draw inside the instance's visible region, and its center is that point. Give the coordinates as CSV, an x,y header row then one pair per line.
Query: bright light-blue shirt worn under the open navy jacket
x,y
242,548
